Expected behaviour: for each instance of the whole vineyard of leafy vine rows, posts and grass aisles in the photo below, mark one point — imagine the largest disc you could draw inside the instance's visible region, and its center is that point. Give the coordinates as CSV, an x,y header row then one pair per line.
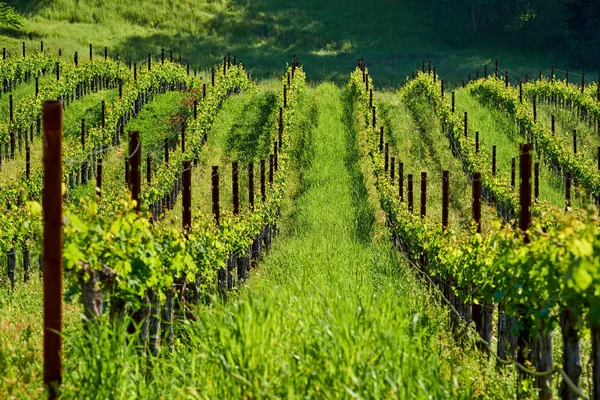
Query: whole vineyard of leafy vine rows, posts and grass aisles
x,y
171,232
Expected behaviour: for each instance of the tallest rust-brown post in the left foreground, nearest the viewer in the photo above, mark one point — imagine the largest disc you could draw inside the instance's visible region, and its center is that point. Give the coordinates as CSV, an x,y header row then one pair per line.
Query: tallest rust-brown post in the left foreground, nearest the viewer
x,y
52,258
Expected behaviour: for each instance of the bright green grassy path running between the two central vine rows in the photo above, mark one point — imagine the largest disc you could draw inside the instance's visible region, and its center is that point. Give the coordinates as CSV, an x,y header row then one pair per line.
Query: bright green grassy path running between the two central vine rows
x,y
331,313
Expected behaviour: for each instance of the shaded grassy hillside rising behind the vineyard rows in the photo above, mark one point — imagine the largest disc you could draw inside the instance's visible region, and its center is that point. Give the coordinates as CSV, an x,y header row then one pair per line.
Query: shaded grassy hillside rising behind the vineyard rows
x,y
327,36
